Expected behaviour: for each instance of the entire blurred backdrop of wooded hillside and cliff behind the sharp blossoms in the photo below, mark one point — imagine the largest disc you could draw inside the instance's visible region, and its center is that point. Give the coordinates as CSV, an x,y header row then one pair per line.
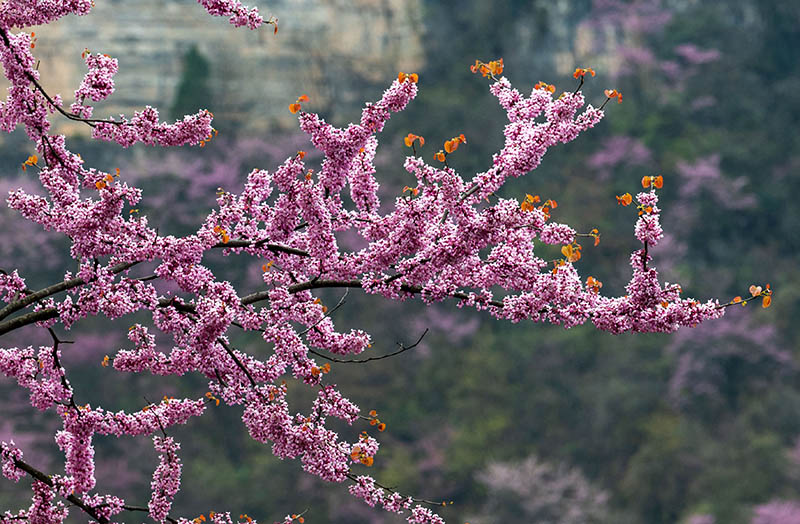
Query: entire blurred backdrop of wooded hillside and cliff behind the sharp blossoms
x,y
513,423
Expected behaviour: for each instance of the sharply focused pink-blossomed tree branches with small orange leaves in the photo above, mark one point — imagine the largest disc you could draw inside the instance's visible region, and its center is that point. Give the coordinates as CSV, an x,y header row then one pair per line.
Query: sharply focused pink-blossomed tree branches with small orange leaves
x,y
449,237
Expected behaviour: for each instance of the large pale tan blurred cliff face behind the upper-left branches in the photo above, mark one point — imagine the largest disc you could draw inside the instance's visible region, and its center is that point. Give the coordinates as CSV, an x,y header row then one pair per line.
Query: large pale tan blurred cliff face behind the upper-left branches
x,y
323,48
